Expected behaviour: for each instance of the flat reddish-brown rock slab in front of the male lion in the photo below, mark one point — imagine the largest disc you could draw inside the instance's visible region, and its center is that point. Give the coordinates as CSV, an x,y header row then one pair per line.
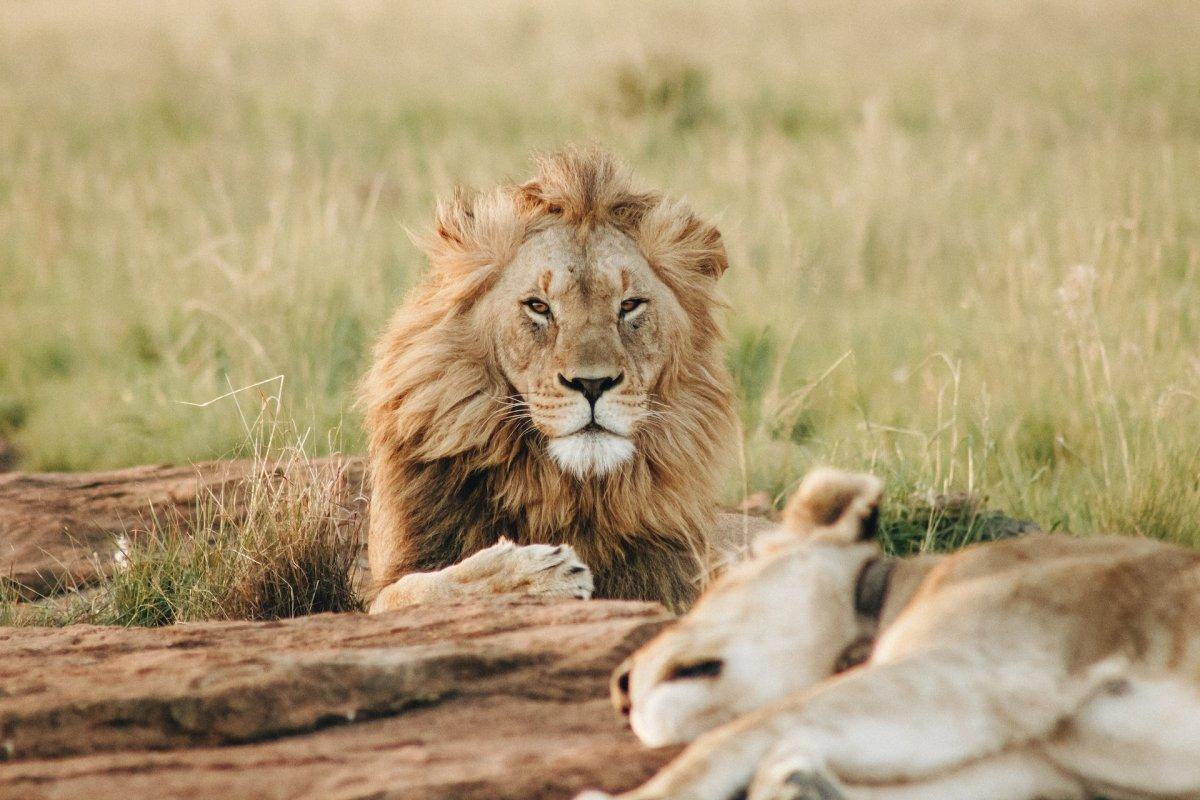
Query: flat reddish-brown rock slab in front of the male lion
x,y
499,700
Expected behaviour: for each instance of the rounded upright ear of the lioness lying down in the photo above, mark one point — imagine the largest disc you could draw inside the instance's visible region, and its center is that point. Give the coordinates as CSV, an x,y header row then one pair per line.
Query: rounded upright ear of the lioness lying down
x,y
836,507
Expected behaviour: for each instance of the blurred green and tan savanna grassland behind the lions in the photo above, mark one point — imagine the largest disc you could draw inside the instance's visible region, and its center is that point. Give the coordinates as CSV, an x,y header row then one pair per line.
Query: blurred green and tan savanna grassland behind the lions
x,y
965,237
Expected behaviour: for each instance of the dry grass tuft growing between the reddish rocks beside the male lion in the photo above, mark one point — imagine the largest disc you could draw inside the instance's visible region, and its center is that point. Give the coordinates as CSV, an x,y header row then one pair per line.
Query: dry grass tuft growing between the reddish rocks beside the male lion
x,y
284,543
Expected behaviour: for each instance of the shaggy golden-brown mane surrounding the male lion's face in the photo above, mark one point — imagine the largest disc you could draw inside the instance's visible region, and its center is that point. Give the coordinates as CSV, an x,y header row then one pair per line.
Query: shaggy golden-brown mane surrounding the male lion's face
x,y
452,473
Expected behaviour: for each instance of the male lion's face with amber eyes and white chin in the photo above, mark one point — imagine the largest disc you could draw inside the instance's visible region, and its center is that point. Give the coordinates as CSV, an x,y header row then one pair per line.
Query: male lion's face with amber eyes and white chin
x,y
583,330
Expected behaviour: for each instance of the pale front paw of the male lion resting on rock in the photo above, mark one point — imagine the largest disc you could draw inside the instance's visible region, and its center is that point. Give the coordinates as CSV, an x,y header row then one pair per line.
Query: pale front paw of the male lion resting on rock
x,y
537,570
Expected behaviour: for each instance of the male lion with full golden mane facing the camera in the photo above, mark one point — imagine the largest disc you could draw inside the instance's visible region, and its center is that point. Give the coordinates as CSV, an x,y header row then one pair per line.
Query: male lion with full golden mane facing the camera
x,y
551,405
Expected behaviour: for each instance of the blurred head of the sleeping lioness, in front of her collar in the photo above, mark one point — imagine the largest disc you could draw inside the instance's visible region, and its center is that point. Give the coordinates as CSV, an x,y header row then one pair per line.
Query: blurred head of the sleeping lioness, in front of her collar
x,y
770,627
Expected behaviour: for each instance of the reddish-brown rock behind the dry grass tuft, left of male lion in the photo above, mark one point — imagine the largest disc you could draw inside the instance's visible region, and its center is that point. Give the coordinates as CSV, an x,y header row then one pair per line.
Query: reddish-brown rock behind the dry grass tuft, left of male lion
x,y
58,530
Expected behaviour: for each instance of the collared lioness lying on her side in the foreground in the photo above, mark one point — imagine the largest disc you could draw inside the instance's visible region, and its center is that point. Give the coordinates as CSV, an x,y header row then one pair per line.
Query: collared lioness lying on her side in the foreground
x,y
1043,667
